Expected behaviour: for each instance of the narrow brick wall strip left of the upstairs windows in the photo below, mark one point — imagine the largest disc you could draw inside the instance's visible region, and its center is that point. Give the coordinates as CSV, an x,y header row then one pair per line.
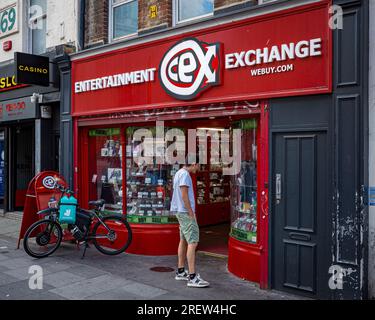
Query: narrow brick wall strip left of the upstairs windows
x,y
96,22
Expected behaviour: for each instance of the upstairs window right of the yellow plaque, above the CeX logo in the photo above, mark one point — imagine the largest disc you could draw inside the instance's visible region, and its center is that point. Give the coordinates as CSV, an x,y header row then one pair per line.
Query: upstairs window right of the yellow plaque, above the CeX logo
x,y
186,10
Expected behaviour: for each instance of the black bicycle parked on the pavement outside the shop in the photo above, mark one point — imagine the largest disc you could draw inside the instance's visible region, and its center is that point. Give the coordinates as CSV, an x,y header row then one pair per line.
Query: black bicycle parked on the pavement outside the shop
x,y
111,235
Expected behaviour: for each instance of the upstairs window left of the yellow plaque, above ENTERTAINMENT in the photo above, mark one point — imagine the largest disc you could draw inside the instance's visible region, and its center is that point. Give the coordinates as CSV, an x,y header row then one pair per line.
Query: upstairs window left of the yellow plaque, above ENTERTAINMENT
x,y
124,15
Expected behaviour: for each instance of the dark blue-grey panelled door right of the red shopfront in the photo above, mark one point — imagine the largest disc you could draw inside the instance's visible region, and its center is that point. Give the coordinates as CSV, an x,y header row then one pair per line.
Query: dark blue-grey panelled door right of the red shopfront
x,y
300,214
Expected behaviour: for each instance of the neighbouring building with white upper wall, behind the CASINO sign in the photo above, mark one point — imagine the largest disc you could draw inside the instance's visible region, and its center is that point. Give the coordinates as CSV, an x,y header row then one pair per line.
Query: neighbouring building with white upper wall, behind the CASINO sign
x,y
31,114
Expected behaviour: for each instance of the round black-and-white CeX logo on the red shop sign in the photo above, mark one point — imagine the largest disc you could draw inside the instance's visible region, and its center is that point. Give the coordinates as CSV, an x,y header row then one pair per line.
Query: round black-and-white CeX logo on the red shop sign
x,y
189,68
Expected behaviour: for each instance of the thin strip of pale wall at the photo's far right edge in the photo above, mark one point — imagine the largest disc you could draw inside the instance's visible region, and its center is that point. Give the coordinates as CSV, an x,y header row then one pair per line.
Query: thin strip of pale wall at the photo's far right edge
x,y
371,263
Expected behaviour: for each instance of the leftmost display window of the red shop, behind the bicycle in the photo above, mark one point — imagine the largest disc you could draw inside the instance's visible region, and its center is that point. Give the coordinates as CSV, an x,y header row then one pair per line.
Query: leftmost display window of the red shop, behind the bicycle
x,y
105,168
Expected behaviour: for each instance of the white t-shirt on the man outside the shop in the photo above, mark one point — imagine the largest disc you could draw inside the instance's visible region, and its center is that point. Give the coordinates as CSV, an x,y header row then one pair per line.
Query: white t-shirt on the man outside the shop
x,y
182,178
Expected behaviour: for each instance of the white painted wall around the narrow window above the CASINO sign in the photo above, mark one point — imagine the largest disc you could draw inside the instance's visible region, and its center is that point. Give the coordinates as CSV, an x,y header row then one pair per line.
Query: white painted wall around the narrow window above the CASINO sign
x,y
62,26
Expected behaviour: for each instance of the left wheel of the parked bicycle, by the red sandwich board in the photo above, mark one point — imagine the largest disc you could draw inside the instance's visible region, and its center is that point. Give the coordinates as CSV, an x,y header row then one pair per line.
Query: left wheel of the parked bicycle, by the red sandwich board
x,y
42,238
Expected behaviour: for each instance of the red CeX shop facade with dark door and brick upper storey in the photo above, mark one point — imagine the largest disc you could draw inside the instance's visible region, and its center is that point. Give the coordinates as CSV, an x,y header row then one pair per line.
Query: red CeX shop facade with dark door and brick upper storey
x,y
295,217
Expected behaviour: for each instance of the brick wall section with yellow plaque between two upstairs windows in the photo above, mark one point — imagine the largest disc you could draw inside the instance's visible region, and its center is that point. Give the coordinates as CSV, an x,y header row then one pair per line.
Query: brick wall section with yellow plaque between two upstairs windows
x,y
153,14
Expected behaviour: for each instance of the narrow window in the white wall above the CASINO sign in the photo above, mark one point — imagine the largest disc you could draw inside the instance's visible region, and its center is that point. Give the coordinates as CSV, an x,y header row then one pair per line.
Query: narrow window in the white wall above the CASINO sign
x,y
38,24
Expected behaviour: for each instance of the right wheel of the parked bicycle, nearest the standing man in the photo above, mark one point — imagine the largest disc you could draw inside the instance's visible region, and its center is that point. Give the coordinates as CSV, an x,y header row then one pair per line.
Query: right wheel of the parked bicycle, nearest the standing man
x,y
113,238
